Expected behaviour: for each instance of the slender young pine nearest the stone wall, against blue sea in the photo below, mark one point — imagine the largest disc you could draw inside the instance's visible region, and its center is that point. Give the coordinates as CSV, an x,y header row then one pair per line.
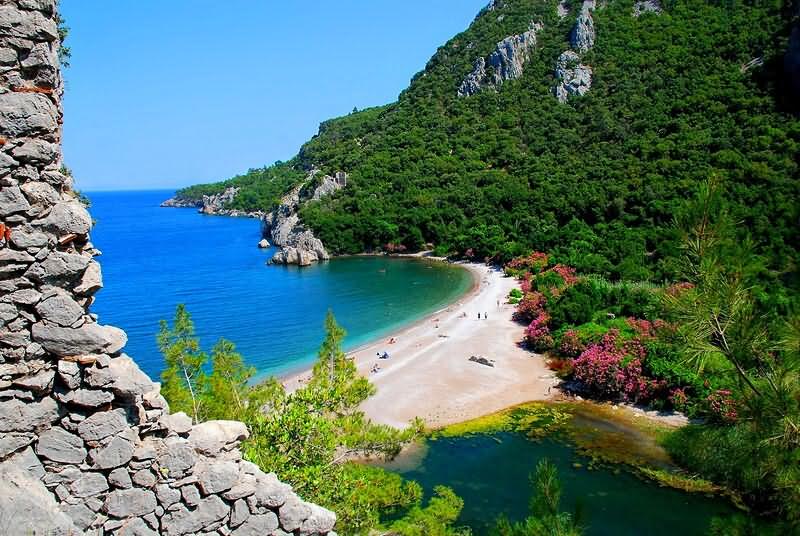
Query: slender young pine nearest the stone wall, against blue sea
x,y
183,360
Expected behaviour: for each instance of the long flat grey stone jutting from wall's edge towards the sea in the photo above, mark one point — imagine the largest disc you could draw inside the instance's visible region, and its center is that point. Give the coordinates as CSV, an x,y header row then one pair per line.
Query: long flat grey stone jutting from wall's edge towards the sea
x,y
87,339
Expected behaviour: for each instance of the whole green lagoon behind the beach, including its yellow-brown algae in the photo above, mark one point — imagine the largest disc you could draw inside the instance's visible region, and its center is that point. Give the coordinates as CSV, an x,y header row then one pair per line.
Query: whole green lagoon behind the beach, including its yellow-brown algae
x,y
597,457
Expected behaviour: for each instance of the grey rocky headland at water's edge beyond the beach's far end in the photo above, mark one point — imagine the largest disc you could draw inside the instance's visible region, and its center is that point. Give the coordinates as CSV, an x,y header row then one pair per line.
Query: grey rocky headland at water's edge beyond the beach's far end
x,y
297,244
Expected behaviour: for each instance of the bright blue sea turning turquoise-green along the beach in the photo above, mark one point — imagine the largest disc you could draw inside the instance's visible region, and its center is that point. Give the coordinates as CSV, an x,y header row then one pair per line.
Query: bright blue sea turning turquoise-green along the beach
x,y
154,258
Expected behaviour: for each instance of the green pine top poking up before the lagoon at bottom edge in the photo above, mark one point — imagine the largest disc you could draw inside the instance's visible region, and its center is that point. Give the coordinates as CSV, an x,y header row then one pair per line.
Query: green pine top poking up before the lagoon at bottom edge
x,y
546,519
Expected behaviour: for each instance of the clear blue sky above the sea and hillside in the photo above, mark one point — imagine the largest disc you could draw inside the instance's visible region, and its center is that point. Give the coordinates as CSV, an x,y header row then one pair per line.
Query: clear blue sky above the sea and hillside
x,y
164,94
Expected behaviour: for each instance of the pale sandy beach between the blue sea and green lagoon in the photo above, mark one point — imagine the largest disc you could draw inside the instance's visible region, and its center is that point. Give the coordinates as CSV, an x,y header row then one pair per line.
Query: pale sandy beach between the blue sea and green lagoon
x,y
429,374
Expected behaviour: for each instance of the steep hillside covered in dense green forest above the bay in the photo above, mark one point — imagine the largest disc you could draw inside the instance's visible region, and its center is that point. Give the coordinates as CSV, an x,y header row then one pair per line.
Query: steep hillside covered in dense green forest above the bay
x,y
676,98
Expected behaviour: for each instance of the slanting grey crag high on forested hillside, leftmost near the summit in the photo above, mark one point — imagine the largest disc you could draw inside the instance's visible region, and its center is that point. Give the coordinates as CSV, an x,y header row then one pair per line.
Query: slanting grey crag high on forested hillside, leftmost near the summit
x,y
506,62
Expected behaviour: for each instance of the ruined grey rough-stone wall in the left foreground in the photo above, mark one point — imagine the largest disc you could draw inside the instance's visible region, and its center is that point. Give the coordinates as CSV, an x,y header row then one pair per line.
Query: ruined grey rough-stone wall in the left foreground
x,y
87,443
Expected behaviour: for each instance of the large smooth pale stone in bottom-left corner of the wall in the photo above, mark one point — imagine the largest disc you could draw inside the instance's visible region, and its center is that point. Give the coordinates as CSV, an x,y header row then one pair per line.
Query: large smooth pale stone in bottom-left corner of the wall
x,y
26,502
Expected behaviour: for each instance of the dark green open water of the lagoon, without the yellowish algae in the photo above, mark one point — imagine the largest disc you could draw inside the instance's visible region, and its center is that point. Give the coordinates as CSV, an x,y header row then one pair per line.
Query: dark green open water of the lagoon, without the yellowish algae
x,y
490,472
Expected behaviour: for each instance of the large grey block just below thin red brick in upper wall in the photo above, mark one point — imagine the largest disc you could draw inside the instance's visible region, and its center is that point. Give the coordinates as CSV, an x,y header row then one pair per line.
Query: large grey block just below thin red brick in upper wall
x,y
26,114
